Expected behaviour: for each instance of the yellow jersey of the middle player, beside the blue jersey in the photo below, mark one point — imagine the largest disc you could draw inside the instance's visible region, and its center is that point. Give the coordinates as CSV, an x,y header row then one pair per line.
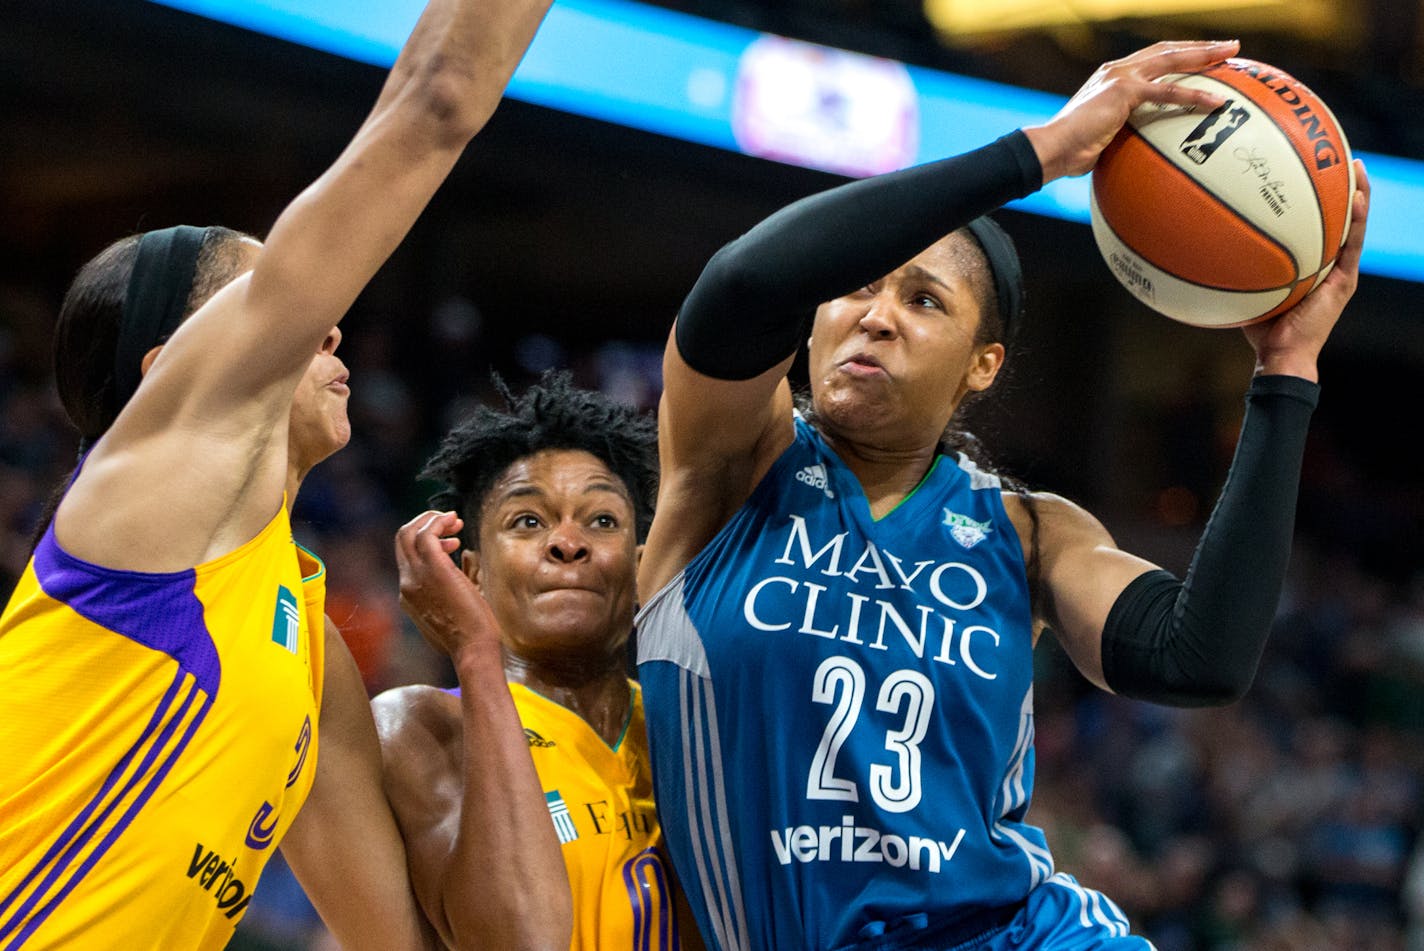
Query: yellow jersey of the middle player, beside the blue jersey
x,y
600,799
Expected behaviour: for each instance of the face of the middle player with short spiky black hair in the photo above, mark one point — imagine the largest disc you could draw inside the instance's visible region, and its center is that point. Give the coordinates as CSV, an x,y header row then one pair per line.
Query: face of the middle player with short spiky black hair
x,y
559,557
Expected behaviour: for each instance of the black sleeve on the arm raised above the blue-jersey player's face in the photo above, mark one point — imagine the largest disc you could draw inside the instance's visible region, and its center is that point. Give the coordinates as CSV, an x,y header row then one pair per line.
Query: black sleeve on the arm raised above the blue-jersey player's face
x,y
748,310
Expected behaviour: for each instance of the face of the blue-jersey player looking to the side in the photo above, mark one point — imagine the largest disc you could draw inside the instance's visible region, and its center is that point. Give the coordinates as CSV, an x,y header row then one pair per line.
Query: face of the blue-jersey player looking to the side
x,y
892,361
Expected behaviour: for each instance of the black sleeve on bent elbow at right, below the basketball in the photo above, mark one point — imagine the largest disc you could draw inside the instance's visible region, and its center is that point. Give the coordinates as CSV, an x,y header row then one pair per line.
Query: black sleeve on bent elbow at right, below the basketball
x,y
1198,643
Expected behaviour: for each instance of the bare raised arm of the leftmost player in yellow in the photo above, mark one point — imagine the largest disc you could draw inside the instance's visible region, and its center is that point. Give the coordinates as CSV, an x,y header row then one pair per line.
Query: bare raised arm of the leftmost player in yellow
x,y
236,364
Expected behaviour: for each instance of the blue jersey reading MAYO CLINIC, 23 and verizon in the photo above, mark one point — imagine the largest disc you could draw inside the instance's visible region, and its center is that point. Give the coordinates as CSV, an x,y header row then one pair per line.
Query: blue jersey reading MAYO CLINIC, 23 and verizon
x,y
841,713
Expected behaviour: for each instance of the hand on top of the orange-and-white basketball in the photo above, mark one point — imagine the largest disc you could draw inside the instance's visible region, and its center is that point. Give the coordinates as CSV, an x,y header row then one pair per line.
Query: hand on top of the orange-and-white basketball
x,y
1070,143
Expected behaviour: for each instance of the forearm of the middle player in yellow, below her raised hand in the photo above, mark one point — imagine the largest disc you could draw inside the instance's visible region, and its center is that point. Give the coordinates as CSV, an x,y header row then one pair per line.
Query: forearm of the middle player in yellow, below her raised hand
x,y
508,886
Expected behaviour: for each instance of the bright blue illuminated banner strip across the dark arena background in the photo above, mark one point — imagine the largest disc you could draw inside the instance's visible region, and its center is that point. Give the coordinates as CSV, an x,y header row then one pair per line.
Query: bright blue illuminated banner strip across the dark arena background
x,y
767,96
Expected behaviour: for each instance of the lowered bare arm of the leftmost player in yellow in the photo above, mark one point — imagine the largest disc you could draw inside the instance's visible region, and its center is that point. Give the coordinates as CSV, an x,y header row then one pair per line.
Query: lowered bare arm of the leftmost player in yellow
x,y
344,846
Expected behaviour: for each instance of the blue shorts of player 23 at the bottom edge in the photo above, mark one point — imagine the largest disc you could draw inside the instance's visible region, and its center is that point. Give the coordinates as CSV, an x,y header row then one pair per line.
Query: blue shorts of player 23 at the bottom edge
x,y
1057,916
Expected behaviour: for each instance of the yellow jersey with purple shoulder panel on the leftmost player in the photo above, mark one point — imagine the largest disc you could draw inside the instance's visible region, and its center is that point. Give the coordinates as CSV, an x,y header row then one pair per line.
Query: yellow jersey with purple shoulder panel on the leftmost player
x,y
157,737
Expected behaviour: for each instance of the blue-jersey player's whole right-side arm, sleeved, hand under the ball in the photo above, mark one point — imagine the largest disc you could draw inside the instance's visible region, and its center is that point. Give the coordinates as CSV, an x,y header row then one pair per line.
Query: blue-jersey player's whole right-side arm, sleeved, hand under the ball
x,y
1140,631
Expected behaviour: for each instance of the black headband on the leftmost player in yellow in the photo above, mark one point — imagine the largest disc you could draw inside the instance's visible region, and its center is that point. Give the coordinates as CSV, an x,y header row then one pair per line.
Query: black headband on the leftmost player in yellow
x,y
157,295
